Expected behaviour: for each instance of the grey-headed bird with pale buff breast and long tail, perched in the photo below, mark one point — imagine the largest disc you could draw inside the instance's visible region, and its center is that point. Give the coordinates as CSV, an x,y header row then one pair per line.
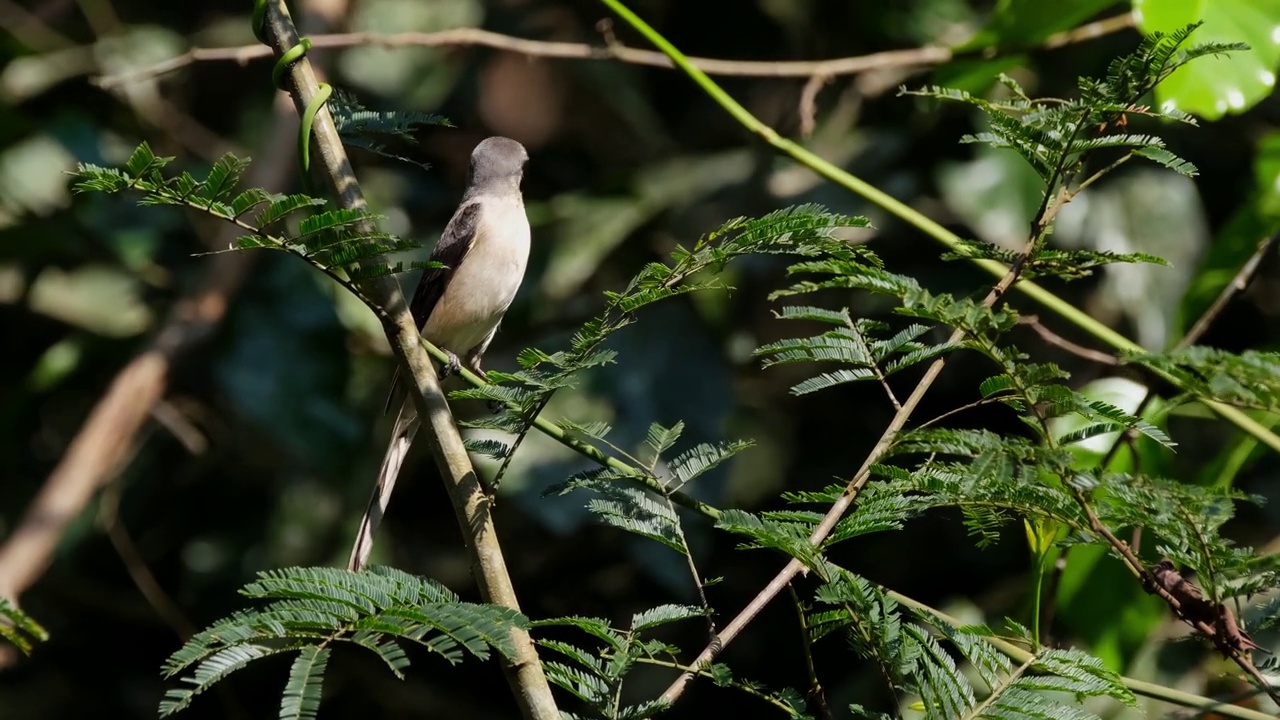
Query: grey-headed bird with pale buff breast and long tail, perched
x,y
458,308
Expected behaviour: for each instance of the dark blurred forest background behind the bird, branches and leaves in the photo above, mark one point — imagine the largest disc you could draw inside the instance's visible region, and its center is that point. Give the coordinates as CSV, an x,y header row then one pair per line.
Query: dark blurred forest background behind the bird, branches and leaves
x,y
257,386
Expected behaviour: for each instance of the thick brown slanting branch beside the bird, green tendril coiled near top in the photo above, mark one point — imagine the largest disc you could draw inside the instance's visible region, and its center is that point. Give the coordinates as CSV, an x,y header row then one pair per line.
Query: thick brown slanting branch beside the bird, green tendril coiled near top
x,y
524,673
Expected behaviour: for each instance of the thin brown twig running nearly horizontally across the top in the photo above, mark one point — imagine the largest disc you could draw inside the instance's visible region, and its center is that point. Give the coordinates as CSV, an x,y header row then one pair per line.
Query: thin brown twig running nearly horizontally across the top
x,y
612,51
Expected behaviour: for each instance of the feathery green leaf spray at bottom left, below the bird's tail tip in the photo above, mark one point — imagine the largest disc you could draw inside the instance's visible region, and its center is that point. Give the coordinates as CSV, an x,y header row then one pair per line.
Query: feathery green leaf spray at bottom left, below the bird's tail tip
x,y
310,609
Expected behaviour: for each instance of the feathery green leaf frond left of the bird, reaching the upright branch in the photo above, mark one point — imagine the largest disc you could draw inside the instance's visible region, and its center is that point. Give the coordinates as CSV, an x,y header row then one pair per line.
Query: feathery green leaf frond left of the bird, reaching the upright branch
x,y
341,243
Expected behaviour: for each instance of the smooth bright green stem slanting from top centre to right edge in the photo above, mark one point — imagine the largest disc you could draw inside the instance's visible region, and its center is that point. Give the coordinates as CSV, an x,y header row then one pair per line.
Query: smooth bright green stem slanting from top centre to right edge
x,y
921,222
